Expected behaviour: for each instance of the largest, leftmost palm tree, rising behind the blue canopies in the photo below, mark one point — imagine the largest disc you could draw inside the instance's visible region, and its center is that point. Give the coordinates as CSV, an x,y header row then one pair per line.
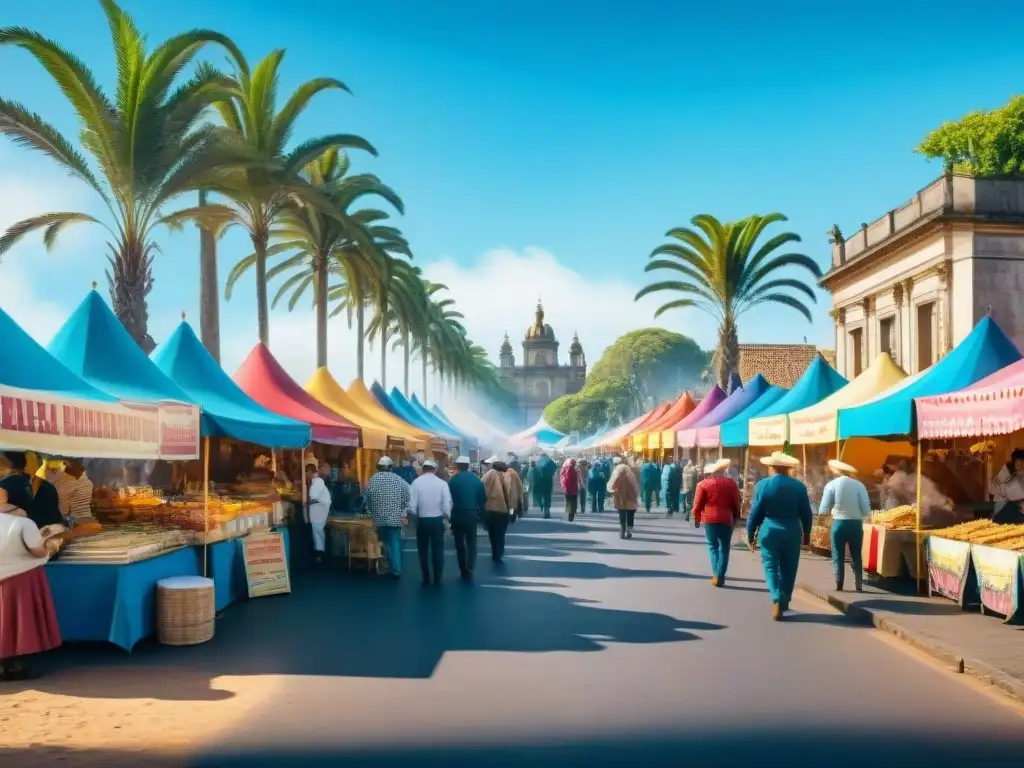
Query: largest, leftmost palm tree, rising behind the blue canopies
x,y
147,145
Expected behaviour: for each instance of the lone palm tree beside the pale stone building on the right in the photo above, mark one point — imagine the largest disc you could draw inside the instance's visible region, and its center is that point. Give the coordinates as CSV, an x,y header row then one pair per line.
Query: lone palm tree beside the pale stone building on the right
x,y
724,273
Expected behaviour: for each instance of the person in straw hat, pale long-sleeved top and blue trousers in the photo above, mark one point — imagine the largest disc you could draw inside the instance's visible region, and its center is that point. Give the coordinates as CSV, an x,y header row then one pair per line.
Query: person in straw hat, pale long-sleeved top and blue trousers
x,y
846,499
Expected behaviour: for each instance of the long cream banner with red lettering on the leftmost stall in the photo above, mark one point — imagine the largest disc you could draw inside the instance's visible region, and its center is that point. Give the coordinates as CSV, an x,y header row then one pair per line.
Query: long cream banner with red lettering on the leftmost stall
x,y
51,424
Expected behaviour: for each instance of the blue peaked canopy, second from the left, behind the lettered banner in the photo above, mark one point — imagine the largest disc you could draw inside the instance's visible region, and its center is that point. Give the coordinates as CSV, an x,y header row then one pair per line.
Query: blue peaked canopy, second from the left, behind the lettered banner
x,y
96,347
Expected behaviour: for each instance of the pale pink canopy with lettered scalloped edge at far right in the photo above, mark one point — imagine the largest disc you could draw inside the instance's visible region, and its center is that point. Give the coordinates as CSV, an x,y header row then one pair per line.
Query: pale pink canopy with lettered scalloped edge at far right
x,y
991,407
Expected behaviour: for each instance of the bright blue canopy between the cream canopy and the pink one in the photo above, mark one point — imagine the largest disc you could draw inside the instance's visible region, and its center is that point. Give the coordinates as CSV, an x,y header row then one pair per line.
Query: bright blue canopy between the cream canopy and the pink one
x,y
985,352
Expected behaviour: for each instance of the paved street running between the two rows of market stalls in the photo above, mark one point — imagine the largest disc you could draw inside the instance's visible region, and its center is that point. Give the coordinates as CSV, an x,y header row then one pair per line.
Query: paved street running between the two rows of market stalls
x,y
584,649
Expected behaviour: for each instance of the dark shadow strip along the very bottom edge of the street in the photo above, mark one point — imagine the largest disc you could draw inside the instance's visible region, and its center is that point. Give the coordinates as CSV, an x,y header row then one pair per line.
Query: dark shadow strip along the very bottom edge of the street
x,y
792,746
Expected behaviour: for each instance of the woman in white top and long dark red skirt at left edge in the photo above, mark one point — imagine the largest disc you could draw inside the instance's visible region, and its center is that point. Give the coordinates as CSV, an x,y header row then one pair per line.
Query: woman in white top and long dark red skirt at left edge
x,y
28,619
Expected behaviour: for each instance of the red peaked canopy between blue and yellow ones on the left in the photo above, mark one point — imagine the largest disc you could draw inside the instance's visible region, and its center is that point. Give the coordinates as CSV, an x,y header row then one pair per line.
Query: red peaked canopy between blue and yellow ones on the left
x,y
263,378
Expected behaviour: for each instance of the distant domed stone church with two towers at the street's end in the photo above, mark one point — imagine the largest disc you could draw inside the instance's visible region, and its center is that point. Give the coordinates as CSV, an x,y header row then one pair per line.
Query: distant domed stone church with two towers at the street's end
x,y
541,378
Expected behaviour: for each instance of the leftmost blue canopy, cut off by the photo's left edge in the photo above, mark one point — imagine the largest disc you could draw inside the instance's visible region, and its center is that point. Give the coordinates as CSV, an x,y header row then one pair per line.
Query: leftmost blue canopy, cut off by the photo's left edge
x,y
31,367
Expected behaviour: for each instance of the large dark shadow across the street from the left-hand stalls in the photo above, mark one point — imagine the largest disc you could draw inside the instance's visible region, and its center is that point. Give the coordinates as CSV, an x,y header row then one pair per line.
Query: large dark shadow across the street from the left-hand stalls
x,y
367,627
